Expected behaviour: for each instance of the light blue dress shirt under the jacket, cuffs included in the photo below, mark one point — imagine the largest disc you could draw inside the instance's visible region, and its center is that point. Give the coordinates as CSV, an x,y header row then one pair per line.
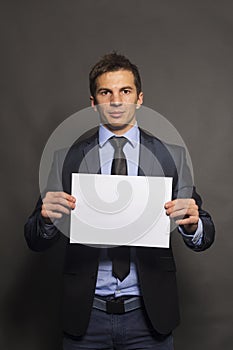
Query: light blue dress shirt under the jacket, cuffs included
x,y
107,284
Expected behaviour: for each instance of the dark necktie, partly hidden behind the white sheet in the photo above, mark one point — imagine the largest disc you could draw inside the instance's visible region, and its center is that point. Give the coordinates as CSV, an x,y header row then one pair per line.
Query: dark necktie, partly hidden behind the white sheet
x,y
120,256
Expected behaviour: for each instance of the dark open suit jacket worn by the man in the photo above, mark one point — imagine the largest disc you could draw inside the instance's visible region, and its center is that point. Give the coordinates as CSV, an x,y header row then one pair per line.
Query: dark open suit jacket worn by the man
x,y
156,266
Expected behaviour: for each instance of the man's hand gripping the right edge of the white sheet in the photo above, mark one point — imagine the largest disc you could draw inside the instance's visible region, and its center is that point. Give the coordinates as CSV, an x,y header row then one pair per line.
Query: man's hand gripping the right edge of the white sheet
x,y
185,212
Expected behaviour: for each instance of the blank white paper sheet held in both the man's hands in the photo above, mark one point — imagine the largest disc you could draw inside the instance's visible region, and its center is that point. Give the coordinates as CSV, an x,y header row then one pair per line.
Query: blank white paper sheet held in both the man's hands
x,y
120,210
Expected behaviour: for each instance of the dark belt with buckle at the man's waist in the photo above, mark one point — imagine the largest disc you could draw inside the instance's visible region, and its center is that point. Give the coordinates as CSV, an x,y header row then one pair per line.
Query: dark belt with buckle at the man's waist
x,y
117,305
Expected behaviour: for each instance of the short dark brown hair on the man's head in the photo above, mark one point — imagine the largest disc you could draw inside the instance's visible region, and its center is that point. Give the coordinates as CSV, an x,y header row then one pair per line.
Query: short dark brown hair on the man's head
x,y
110,63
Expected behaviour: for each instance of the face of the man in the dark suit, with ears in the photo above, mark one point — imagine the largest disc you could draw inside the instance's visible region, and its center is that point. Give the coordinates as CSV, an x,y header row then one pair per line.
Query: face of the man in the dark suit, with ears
x,y
116,100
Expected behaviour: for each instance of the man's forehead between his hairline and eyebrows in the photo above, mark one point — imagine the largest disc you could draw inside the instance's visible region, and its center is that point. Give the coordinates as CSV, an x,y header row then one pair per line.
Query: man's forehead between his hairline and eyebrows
x,y
115,79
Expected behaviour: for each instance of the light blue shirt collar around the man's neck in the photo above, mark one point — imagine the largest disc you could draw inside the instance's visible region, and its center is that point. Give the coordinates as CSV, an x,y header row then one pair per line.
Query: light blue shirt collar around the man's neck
x,y
132,135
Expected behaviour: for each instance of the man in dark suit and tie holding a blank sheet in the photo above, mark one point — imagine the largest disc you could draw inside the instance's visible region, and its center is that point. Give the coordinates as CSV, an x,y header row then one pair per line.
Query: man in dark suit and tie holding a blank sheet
x,y
119,298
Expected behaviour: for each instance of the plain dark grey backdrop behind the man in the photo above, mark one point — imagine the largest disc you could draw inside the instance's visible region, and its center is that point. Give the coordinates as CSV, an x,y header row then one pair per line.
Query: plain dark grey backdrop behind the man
x,y
185,54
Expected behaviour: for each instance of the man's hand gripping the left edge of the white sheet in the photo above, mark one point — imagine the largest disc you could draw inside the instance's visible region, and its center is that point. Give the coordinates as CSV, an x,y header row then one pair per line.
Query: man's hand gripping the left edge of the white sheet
x,y
55,204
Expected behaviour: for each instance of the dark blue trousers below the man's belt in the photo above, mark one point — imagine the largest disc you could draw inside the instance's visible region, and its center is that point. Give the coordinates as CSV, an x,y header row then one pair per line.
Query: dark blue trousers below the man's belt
x,y
129,331
